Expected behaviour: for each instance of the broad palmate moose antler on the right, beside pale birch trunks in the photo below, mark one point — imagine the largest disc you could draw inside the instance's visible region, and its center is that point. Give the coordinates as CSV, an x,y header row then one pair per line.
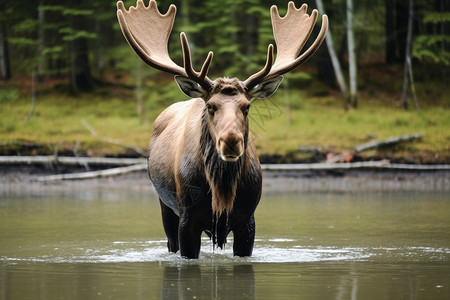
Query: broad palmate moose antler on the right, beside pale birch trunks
x,y
291,33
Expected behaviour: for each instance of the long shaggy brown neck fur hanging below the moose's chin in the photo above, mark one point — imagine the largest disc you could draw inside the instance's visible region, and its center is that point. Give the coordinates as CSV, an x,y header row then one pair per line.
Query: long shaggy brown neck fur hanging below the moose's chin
x,y
222,176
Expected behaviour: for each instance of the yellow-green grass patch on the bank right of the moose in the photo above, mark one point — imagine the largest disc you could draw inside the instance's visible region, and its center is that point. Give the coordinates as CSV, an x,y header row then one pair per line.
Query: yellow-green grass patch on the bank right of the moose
x,y
323,122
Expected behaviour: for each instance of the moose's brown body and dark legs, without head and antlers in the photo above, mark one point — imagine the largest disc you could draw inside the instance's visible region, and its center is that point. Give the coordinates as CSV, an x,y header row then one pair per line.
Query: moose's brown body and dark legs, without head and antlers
x,y
187,171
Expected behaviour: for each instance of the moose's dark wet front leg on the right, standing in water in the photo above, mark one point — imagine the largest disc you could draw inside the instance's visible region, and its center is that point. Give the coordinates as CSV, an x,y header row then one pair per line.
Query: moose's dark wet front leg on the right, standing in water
x,y
244,238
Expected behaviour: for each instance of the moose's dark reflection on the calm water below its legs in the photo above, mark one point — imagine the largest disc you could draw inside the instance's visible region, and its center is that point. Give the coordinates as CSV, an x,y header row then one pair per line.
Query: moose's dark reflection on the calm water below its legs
x,y
192,281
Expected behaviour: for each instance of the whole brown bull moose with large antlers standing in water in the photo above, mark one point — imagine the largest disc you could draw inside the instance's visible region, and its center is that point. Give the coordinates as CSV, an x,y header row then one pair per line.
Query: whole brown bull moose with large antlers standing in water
x,y
202,159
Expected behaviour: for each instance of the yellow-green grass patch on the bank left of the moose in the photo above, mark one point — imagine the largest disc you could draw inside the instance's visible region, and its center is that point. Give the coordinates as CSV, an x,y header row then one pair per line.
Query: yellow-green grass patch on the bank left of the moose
x,y
57,121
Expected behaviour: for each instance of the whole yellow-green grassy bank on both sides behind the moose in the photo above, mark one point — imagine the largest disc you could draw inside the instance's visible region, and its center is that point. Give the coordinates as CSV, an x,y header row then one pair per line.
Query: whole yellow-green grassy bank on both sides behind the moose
x,y
280,125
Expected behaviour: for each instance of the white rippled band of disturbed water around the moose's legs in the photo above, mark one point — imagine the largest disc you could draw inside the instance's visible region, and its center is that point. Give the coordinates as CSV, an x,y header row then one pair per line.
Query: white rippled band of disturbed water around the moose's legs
x,y
267,251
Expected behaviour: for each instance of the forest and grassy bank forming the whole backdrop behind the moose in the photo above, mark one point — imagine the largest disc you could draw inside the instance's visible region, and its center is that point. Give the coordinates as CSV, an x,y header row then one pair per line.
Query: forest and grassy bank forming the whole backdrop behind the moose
x,y
66,72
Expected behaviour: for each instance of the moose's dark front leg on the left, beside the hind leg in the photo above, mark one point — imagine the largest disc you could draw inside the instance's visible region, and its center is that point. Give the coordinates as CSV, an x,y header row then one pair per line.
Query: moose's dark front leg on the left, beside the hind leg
x,y
189,237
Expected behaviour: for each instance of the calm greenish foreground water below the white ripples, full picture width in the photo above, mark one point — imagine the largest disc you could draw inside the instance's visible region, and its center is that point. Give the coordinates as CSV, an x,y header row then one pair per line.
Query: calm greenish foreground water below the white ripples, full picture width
x,y
187,280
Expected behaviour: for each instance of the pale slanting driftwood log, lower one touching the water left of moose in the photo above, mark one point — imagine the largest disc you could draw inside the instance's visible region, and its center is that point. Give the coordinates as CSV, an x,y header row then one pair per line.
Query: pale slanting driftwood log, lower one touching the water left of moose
x,y
94,174
